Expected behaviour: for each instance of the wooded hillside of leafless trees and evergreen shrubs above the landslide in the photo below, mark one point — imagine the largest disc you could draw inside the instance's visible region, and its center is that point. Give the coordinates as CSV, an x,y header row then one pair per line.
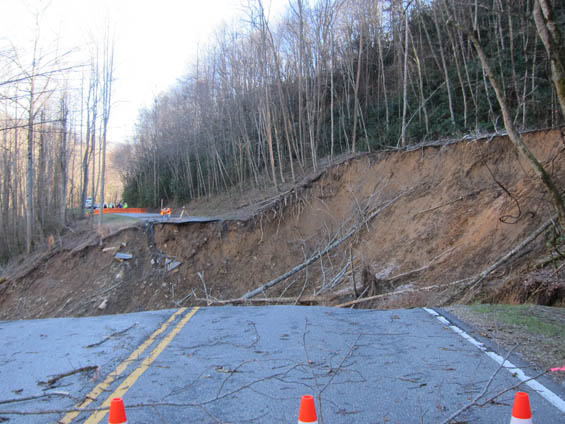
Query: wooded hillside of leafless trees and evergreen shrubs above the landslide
x,y
274,97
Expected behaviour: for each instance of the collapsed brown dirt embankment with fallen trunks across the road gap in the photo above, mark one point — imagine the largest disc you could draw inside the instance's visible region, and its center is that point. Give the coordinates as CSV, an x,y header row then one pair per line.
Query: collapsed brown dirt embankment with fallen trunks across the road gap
x,y
410,228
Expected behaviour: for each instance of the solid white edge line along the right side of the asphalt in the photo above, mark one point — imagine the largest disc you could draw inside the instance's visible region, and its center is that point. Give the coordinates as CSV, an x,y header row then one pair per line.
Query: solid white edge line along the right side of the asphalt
x,y
551,397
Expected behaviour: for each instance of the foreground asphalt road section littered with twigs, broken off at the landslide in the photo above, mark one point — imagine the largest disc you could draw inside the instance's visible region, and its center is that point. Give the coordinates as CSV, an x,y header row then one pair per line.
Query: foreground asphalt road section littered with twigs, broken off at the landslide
x,y
252,365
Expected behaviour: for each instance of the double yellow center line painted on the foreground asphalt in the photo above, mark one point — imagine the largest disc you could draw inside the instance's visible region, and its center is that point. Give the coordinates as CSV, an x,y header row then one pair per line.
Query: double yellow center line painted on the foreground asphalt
x,y
135,374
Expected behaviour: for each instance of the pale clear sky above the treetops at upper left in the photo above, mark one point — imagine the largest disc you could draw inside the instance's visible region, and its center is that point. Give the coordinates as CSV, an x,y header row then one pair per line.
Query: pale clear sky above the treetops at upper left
x,y
155,40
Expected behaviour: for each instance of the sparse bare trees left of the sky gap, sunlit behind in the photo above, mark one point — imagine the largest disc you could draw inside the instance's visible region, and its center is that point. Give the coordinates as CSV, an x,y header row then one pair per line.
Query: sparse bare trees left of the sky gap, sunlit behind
x,y
54,111
